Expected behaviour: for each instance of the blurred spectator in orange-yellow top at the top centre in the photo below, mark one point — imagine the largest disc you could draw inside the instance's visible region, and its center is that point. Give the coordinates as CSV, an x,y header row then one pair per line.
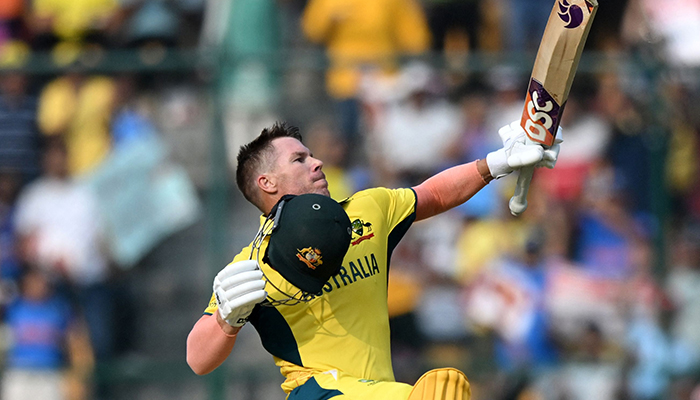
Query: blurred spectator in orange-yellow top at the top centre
x,y
362,36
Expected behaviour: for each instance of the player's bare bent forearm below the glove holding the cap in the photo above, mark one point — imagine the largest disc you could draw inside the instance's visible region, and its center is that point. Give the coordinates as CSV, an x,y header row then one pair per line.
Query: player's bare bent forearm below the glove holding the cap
x,y
208,344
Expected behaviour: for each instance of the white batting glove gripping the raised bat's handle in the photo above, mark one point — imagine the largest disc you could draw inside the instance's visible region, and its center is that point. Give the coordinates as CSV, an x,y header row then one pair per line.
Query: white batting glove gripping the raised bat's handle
x,y
518,152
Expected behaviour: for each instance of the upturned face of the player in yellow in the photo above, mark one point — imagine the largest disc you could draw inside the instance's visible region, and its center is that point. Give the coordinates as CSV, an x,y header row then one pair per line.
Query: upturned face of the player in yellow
x,y
296,171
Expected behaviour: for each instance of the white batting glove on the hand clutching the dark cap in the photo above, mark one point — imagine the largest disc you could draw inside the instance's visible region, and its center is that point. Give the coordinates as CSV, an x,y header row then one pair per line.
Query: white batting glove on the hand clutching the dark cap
x,y
238,288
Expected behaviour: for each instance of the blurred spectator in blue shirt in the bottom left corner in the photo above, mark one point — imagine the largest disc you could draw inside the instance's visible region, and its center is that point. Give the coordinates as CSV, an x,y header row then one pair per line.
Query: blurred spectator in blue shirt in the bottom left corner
x,y
50,356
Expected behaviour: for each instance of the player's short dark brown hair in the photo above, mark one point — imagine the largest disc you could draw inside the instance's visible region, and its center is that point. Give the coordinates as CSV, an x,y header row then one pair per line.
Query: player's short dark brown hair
x,y
252,157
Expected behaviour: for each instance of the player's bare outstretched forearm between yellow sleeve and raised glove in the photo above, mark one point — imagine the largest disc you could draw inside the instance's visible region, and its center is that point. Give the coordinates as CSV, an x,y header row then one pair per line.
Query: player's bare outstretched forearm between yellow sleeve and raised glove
x,y
450,188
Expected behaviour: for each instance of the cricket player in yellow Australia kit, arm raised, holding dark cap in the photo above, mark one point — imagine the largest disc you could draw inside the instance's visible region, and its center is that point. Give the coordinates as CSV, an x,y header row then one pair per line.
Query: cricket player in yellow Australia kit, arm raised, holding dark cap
x,y
328,329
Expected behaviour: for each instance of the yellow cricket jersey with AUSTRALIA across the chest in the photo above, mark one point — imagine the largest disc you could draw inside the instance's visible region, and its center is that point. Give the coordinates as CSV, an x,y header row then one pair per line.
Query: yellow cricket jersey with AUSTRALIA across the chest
x,y
346,328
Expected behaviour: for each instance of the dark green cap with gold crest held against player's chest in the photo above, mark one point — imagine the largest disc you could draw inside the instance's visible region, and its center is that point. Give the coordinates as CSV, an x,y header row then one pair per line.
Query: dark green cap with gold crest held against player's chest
x,y
310,237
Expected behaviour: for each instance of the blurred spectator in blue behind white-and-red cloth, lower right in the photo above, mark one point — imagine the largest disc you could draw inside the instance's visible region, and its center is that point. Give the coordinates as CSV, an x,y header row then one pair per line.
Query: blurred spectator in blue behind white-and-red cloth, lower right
x,y
510,300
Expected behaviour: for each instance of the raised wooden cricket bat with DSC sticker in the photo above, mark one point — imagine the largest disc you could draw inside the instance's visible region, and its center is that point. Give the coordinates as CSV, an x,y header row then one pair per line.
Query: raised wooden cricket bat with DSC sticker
x,y
555,66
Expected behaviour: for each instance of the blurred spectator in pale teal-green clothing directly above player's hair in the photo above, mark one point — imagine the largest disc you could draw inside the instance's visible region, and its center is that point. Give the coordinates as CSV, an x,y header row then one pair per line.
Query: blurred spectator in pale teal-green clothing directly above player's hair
x,y
251,32
